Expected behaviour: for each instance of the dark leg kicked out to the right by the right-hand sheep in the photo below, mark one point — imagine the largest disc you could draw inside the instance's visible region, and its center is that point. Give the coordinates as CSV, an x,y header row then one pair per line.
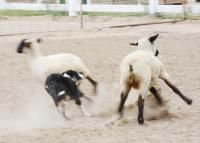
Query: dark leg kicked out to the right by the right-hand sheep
x,y
165,77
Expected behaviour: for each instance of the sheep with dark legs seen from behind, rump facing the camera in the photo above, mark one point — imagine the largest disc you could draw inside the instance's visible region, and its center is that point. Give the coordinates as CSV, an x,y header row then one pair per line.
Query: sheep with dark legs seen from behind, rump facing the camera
x,y
140,71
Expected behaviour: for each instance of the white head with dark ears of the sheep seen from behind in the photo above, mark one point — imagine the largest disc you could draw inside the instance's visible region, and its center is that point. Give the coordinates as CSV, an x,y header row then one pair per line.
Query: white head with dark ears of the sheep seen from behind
x,y
147,44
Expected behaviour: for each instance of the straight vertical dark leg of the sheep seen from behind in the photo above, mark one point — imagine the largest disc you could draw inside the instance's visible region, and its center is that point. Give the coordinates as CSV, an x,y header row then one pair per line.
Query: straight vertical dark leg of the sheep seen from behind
x,y
140,110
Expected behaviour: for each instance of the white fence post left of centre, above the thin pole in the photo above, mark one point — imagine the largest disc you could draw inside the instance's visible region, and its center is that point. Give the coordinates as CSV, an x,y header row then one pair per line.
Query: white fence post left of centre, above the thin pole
x,y
72,6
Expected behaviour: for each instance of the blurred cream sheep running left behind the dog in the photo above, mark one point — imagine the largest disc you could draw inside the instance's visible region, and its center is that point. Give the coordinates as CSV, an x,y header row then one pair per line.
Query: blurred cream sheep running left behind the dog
x,y
42,66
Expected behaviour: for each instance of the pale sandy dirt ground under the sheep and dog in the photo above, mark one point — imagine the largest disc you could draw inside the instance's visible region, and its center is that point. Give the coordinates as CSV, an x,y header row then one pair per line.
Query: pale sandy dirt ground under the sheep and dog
x,y
27,113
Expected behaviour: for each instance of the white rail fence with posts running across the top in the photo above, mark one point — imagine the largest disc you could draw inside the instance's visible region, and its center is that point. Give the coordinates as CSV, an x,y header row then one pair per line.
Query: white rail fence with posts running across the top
x,y
74,6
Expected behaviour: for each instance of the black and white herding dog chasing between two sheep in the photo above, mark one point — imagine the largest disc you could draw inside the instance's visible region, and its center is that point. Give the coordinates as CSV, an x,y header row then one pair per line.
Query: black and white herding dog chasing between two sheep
x,y
64,87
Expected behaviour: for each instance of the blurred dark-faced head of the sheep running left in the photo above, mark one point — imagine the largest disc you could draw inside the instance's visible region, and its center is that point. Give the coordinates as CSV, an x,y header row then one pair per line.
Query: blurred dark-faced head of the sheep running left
x,y
27,44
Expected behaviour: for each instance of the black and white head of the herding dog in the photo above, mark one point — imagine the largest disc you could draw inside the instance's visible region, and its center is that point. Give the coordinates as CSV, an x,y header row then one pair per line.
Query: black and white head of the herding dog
x,y
75,76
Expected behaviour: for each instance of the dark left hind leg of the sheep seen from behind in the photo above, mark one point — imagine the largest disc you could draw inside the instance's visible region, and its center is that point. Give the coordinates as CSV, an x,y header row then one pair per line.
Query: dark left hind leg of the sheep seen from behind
x,y
124,95
